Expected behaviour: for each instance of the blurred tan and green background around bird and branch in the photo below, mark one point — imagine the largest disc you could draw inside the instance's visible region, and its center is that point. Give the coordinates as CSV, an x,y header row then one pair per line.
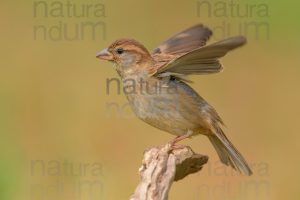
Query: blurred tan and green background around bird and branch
x,y
63,137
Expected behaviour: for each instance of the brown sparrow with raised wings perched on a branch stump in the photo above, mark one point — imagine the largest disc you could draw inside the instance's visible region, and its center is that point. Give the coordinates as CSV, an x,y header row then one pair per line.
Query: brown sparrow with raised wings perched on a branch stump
x,y
158,90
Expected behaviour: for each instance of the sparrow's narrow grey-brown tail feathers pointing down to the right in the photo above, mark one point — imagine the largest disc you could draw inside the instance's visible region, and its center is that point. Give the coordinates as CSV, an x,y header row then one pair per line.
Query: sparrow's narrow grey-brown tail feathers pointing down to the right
x,y
228,154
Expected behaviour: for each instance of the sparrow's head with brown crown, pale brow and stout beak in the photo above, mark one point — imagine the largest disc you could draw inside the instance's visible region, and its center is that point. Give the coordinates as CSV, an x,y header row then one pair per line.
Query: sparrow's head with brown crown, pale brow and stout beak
x,y
128,55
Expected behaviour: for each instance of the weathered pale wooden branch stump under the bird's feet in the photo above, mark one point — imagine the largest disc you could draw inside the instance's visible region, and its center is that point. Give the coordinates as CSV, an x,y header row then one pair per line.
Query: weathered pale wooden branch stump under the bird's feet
x,y
163,165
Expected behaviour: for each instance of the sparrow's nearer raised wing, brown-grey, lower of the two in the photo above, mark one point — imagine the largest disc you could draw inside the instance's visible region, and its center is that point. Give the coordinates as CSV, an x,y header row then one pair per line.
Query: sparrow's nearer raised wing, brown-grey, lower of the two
x,y
203,60
